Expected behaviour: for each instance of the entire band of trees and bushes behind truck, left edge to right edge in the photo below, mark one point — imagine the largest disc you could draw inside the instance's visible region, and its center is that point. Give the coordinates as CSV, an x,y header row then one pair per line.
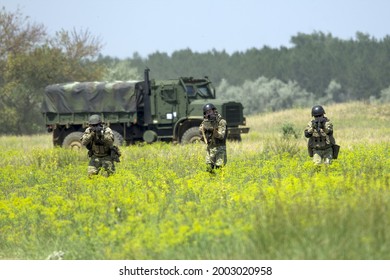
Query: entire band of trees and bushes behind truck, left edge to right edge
x,y
317,68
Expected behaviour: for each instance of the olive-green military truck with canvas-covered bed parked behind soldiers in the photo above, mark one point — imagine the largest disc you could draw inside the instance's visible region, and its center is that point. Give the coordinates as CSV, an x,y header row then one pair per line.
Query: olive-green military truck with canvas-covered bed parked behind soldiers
x,y
148,111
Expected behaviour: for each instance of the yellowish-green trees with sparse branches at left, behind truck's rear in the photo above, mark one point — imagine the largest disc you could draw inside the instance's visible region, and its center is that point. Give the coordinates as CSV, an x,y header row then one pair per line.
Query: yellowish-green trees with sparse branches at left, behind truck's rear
x,y
29,61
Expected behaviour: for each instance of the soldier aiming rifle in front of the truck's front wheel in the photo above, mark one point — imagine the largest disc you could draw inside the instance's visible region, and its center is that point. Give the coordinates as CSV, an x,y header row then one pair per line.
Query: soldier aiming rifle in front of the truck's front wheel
x,y
213,131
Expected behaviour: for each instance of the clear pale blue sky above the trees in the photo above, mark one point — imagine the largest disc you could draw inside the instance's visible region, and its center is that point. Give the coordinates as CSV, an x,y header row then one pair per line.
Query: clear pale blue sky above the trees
x,y
147,26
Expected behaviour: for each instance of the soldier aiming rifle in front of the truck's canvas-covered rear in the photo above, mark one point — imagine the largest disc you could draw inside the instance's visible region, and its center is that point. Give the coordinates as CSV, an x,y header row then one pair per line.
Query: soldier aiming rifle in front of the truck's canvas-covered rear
x,y
99,141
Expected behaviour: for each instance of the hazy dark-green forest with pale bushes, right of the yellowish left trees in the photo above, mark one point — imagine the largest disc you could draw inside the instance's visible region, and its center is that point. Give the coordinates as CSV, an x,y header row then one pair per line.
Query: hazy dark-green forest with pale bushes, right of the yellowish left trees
x,y
317,68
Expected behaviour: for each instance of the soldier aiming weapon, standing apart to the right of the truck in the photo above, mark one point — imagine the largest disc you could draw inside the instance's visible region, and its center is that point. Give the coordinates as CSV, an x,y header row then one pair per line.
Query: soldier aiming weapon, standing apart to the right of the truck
x,y
320,133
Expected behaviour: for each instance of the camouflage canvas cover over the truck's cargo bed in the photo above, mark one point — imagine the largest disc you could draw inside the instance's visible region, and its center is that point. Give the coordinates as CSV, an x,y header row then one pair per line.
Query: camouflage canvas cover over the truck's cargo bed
x,y
92,97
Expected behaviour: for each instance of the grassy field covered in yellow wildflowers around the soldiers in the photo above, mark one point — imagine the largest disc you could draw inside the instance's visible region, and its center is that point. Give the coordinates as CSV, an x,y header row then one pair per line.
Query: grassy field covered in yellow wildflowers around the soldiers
x,y
269,202
